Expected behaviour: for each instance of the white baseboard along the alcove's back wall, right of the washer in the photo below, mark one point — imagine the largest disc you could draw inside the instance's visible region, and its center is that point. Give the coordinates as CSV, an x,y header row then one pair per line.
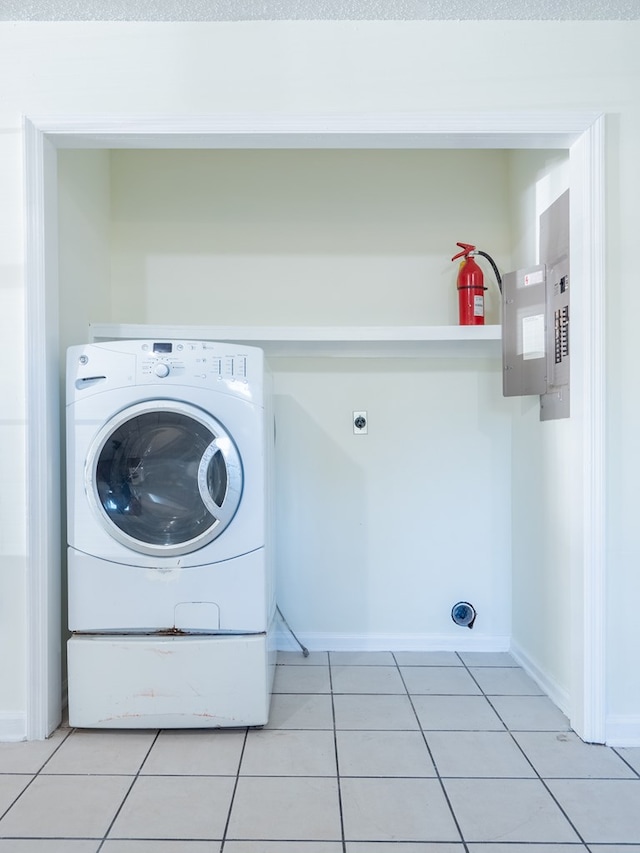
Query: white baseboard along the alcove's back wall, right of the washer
x,y
330,642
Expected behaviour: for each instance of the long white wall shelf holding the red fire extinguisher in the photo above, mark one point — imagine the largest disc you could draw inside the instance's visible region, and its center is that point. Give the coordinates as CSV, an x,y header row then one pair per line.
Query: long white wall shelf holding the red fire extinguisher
x,y
327,341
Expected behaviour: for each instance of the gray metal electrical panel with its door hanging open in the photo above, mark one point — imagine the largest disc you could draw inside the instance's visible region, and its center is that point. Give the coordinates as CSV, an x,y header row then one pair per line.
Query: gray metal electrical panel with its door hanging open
x,y
535,320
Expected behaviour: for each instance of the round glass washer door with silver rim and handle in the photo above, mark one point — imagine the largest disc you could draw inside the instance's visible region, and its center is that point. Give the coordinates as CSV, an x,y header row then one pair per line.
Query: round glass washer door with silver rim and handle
x,y
163,478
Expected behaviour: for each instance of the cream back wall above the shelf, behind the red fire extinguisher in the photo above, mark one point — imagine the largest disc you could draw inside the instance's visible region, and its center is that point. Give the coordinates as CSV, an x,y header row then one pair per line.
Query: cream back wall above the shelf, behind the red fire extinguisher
x,y
301,237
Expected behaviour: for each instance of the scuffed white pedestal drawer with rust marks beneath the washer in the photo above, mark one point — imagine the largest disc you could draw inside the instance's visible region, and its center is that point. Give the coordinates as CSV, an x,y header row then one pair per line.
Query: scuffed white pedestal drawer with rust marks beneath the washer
x,y
169,682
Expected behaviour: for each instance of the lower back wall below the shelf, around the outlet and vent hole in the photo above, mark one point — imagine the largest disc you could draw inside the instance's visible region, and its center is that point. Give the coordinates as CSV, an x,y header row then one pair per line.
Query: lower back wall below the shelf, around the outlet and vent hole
x,y
379,535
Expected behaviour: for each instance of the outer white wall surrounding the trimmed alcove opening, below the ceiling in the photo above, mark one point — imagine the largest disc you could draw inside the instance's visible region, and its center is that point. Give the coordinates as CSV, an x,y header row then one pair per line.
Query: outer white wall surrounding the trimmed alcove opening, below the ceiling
x,y
284,67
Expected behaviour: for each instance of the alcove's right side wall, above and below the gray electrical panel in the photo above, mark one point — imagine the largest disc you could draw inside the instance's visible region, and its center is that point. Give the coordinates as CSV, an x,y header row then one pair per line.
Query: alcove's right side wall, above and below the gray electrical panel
x,y
541,465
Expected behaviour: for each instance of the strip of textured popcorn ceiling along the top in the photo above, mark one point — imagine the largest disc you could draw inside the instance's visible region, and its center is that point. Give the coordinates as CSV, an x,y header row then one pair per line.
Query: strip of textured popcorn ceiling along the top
x,y
248,10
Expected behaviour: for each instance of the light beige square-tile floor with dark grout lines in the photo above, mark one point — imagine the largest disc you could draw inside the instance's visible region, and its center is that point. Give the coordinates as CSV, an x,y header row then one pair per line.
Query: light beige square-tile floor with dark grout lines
x,y
364,753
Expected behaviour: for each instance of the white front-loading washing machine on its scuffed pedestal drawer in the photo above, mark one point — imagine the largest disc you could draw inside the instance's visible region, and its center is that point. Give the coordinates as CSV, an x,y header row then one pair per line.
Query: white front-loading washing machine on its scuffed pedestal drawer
x,y
170,570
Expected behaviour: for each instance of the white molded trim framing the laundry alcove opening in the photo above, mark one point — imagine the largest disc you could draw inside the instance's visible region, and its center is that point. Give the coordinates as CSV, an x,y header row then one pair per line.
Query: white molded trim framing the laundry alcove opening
x,y
581,135
